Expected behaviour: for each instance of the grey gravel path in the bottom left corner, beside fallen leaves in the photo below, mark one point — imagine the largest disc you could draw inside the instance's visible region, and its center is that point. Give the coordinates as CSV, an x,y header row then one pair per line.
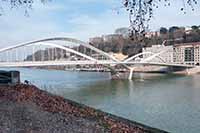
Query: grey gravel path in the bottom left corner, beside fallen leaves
x,y
27,117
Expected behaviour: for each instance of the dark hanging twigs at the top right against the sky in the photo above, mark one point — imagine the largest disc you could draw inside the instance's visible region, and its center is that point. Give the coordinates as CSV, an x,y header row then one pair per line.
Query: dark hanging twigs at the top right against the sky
x,y
141,12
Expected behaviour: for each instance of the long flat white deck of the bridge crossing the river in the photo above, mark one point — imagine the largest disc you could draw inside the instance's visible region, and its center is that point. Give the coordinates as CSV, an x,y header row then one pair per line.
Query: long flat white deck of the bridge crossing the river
x,y
87,62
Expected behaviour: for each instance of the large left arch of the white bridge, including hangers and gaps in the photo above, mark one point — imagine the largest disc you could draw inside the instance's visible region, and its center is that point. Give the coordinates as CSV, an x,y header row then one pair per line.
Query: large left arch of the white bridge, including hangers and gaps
x,y
55,50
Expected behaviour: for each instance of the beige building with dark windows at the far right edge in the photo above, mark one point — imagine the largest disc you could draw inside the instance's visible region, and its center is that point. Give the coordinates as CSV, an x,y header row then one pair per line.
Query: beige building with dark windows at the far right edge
x,y
187,53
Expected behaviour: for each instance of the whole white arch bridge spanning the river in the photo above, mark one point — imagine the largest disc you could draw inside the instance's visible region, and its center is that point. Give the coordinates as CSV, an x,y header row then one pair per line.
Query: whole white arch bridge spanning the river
x,y
63,51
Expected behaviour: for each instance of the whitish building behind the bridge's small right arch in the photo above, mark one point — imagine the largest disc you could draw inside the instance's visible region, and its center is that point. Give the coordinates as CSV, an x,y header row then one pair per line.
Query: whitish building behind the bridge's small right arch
x,y
167,57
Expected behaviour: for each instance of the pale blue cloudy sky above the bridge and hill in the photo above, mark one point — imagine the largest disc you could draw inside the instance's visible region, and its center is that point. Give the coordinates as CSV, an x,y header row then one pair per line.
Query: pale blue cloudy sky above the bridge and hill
x,y
81,19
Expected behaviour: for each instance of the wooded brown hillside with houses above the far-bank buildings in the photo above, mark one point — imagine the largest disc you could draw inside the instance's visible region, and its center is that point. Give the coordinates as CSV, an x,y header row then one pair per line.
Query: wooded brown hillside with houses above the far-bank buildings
x,y
119,42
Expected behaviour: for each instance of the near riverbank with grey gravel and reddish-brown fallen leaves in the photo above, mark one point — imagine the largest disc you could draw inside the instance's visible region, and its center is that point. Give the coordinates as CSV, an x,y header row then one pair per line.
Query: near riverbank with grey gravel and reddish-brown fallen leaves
x,y
29,109
